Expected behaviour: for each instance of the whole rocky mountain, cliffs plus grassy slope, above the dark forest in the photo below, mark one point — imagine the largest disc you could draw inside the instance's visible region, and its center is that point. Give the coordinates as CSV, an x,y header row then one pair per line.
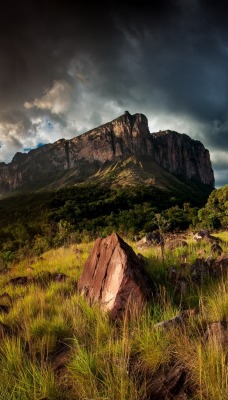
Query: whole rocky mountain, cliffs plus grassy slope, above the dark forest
x,y
111,151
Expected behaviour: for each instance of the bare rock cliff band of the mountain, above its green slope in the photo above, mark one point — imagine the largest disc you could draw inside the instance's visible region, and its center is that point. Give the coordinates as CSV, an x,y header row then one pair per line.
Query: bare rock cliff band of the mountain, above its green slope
x,y
125,136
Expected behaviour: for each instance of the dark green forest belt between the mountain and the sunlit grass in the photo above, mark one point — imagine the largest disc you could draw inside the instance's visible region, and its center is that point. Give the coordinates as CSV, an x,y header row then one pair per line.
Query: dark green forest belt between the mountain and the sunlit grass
x,y
35,222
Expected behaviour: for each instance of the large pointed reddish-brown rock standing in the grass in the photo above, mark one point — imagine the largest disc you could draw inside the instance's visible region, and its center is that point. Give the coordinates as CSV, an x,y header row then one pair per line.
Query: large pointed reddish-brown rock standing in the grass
x,y
115,277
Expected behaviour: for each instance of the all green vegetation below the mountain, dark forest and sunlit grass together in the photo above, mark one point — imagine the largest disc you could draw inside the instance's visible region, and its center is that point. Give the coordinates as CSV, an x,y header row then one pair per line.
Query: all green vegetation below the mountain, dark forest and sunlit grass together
x,y
56,346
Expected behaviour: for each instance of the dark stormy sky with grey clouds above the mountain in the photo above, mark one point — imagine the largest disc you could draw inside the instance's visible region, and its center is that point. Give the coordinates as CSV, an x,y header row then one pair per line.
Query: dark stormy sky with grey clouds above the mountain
x,y
67,68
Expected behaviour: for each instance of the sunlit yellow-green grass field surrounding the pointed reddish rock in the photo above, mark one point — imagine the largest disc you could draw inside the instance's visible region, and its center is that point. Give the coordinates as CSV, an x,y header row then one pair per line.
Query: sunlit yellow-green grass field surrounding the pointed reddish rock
x,y
56,346
